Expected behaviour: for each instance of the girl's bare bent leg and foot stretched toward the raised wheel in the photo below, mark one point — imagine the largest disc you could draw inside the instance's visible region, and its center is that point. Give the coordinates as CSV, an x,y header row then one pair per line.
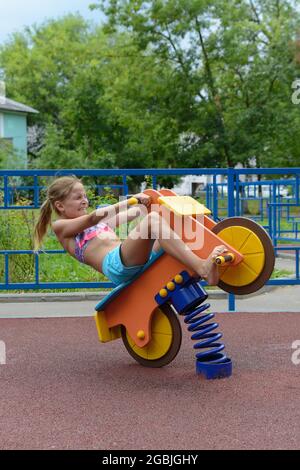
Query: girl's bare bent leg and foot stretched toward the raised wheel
x,y
137,247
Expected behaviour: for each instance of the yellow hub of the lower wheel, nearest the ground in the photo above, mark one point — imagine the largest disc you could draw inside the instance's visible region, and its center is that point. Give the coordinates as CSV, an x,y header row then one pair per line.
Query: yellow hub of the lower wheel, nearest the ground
x,y
161,338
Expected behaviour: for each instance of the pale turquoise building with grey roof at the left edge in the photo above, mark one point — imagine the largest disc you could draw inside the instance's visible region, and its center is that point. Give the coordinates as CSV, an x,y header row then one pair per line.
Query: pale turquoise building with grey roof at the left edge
x,y
13,126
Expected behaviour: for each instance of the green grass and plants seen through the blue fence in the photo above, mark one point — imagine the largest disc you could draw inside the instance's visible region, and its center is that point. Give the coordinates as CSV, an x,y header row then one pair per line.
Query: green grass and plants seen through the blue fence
x,y
16,233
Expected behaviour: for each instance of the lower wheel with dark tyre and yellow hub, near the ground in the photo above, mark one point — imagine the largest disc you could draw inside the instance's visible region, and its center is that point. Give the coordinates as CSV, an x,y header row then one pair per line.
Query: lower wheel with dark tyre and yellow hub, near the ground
x,y
165,340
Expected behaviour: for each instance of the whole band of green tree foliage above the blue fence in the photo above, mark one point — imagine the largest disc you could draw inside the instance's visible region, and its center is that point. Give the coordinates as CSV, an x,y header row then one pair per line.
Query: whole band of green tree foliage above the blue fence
x,y
164,83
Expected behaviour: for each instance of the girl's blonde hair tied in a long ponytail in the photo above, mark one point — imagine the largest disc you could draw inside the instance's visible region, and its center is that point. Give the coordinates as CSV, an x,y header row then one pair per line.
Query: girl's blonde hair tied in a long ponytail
x,y
58,190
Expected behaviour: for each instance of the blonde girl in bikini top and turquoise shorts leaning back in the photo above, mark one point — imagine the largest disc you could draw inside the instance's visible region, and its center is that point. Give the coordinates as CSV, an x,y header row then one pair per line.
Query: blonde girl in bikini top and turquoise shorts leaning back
x,y
90,238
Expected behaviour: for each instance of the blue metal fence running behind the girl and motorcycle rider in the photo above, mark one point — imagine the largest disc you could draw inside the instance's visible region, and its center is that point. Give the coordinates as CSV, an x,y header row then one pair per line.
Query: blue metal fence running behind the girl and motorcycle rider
x,y
273,208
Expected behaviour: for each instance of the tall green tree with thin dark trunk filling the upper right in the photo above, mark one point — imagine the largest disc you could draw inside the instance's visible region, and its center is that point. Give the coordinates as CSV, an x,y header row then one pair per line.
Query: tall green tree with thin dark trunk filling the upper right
x,y
236,60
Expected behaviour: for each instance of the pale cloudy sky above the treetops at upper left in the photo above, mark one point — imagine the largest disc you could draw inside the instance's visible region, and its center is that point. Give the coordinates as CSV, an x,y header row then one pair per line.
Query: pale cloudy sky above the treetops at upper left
x,y
15,14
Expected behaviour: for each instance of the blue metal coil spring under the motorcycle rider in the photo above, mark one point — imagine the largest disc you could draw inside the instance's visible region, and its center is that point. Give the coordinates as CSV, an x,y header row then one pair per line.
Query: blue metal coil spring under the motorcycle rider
x,y
203,332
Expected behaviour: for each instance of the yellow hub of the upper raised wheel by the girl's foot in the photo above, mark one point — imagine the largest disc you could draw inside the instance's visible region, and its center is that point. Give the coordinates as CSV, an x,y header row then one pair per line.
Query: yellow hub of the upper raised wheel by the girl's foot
x,y
249,245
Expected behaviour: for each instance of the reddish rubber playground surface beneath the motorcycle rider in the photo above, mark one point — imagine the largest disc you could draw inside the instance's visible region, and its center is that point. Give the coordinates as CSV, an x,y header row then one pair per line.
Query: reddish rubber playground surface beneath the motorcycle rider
x,y
62,389
